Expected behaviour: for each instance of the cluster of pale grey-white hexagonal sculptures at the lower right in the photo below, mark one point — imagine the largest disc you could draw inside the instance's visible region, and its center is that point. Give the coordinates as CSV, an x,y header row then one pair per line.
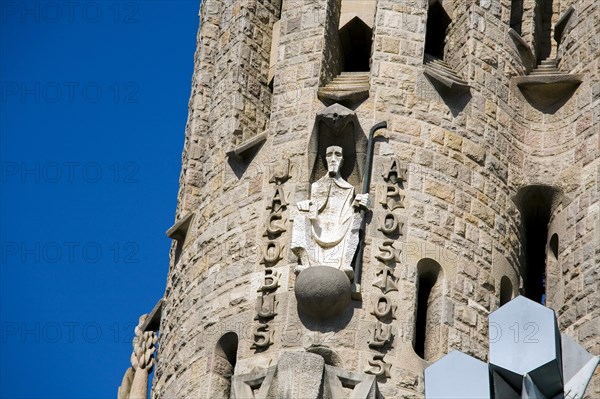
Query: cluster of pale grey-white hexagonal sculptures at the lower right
x,y
528,360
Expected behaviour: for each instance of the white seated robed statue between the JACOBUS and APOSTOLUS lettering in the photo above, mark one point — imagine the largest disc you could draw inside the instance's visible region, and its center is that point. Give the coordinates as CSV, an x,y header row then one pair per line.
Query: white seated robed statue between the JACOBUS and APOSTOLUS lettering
x,y
326,230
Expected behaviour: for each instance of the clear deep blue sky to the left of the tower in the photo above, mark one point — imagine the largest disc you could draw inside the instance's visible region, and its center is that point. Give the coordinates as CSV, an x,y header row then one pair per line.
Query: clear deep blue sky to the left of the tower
x,y
93,101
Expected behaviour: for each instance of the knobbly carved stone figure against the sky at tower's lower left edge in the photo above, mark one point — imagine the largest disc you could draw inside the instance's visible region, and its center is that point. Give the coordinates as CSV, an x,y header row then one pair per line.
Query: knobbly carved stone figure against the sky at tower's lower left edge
x,y
135,381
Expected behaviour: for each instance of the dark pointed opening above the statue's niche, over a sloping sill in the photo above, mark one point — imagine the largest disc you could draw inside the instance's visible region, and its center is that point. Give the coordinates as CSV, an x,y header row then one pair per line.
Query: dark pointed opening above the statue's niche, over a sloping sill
x,y
356,38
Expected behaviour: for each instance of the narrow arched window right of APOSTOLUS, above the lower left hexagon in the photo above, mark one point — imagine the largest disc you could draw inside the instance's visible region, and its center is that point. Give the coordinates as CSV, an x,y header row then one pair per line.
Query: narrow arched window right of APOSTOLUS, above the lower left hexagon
x,y
429,306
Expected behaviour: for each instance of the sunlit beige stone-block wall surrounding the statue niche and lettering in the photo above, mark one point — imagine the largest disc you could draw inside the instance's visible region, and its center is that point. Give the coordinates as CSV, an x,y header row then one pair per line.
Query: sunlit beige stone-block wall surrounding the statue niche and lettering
x,y
466,156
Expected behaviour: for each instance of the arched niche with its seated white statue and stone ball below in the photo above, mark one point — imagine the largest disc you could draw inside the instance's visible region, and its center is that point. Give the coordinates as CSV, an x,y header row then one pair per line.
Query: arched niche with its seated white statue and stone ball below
x,y
326,231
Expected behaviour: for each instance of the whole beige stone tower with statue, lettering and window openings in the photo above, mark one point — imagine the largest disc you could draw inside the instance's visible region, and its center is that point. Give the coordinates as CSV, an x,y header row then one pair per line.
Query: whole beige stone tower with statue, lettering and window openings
x,y
483,184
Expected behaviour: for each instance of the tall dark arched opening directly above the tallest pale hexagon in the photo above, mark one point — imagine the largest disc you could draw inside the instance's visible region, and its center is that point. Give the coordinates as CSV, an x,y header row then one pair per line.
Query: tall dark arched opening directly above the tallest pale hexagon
x,y
535,204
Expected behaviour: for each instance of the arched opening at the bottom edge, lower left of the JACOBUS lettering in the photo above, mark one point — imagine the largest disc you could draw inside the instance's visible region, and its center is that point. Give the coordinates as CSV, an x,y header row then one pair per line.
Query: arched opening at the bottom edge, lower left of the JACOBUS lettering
x,y
223,365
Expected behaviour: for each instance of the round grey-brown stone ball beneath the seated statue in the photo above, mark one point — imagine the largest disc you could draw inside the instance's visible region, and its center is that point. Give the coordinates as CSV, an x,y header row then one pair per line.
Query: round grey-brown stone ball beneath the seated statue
x,y
322,292
